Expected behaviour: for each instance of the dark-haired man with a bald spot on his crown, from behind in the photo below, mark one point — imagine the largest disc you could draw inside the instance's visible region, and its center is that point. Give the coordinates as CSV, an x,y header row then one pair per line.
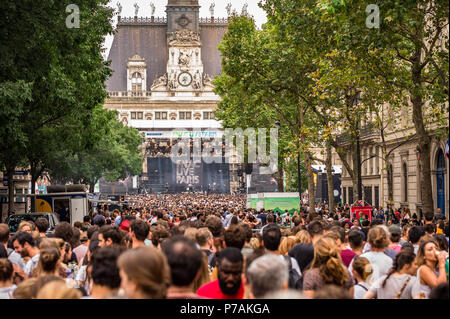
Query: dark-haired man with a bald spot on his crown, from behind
x,y
185,261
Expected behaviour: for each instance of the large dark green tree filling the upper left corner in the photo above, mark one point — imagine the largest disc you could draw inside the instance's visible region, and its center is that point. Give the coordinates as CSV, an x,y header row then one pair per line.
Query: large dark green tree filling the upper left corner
x,y
61,68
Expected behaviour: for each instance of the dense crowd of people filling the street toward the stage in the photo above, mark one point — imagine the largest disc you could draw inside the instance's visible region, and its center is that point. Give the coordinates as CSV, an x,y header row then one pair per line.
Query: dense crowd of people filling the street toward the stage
x,y
195,246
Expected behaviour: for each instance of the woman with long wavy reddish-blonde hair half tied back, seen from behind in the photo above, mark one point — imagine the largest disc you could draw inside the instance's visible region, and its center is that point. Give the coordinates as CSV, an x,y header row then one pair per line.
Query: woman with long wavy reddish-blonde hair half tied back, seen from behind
x,y
327,268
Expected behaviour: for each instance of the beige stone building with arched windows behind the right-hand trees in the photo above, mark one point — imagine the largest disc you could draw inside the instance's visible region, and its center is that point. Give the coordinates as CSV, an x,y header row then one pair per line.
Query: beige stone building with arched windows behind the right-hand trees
x,y
404,161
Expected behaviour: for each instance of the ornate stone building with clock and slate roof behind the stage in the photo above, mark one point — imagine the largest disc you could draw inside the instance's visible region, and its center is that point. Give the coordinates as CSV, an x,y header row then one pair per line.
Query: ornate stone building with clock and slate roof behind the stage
x,y
162,78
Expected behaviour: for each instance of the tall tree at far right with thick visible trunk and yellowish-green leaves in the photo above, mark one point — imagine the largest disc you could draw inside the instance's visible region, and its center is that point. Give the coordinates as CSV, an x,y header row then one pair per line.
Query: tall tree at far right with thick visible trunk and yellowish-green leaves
x,y
408,53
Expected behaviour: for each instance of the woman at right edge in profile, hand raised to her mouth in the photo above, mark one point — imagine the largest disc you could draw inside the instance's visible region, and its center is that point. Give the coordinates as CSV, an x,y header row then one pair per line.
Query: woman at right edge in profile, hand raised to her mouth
x,y
431,264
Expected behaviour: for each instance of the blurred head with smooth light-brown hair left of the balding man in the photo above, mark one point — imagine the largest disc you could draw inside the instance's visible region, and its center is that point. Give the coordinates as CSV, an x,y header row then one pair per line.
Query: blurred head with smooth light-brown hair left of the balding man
x,y
144,273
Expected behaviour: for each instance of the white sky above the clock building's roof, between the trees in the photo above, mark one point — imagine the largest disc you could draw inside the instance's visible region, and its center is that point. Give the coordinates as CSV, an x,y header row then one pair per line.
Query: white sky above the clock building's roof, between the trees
x,y
219,11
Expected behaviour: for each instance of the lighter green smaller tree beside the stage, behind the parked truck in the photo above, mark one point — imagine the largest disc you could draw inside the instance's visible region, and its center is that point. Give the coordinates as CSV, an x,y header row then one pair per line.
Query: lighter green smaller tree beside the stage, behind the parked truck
x,y
115,154
